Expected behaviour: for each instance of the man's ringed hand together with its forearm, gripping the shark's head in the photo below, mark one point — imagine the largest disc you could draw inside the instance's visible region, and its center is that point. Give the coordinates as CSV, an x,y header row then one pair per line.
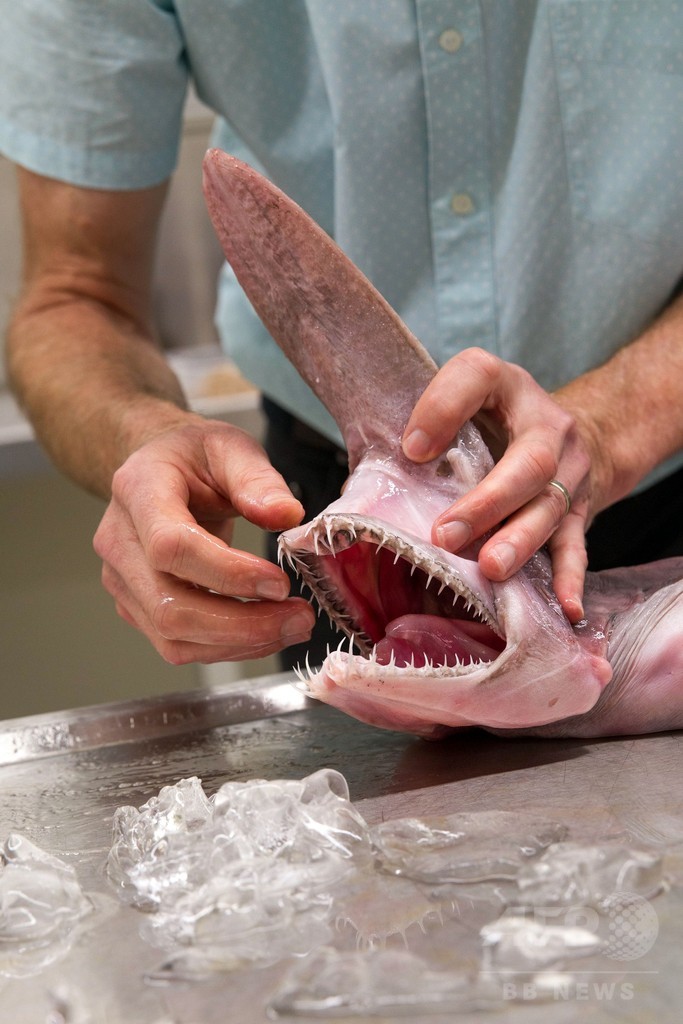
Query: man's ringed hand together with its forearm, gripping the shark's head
x,y
597,437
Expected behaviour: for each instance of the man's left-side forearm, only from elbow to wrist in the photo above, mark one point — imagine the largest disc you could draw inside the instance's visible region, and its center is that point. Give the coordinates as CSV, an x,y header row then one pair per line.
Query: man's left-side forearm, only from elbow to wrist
x,y
94,385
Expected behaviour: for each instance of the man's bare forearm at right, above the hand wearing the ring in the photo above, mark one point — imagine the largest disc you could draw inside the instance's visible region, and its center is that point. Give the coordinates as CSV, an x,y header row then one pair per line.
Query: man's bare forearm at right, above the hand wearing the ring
x,y
630,410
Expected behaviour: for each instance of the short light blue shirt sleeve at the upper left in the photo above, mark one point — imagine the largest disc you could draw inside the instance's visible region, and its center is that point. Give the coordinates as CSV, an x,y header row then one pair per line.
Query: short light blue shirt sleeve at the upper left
x,y
92,92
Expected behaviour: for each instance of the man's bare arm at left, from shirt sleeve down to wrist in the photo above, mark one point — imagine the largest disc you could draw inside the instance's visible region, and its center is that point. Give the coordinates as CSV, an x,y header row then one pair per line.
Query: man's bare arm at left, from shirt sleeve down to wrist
x,y
80,350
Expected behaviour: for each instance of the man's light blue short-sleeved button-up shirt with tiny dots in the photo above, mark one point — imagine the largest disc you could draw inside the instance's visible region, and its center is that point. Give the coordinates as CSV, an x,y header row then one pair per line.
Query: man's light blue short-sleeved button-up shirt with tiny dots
x,y
508,175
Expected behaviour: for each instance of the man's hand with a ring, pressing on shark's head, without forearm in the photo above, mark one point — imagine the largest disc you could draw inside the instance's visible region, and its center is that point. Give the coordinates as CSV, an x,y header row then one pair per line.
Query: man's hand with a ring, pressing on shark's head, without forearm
x,y
542,443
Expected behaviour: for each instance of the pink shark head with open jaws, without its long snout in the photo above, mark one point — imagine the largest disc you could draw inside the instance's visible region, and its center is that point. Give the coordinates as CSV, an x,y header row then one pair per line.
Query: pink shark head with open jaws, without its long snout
x,y
433,644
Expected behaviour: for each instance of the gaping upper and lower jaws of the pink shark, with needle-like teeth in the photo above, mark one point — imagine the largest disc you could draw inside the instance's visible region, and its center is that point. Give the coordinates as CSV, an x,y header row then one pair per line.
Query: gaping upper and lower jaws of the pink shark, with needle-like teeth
x,y
421,625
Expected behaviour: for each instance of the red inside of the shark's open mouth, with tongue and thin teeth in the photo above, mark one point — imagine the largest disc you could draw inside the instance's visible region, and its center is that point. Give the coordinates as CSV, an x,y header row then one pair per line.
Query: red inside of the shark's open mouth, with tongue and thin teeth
x,y
400,605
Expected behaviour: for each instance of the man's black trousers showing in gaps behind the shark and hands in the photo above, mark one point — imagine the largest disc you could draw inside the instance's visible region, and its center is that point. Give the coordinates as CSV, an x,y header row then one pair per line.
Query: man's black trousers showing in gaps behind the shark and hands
x,y
642,529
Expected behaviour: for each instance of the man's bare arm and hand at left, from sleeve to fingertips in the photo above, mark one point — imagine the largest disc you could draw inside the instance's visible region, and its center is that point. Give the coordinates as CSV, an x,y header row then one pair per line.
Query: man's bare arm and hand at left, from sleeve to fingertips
x,y
113,416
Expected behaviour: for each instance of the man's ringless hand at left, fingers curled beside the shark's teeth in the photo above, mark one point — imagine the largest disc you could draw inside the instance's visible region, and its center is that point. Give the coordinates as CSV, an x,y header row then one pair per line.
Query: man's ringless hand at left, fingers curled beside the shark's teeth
x,y
165,545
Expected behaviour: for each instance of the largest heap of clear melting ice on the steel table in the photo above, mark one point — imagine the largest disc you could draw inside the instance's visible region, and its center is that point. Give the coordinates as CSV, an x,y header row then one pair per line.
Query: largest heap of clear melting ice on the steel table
x,y
246,876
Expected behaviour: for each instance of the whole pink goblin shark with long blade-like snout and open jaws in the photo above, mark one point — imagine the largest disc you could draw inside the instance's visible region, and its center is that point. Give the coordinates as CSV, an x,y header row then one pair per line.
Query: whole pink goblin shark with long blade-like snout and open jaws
x,y
433,645
